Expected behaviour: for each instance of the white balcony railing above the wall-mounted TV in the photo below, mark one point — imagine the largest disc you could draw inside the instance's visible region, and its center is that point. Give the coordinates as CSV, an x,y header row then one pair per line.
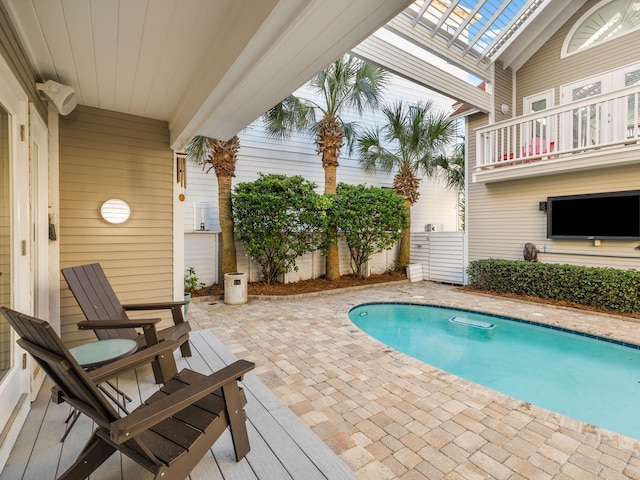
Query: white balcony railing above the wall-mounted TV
x,y
601,122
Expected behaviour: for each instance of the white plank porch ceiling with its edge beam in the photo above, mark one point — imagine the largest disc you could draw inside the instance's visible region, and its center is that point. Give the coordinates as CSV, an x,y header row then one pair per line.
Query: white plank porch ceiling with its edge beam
x,y
207,67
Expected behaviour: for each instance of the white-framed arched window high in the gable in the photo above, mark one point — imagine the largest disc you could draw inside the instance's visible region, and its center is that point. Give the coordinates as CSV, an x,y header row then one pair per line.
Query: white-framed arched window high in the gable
x,y
607,20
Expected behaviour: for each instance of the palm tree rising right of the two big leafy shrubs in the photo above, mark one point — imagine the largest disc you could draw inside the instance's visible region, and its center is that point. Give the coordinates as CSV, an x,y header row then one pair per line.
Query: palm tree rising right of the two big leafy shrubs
x,y
413,141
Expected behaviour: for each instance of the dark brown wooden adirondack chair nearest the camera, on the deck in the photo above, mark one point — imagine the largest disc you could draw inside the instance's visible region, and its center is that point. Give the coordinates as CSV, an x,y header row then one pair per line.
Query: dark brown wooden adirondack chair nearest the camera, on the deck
x,y
168,435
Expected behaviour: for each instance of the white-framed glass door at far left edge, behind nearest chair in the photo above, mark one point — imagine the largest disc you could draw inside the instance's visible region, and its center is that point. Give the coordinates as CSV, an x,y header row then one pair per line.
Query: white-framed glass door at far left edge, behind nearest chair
x,y
15,285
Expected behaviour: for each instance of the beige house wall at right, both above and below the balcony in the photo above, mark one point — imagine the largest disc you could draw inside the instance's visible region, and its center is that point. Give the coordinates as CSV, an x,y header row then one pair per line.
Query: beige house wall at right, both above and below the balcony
x,y
504,215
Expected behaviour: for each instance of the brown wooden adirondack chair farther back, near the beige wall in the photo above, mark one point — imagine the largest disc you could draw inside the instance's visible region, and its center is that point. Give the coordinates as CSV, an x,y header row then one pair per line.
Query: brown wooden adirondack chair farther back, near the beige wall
x,y
107,317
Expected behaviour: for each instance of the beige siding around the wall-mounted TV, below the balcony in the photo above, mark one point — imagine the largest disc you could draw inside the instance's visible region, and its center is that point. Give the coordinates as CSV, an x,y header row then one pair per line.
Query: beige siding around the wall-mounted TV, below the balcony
x,y
505,215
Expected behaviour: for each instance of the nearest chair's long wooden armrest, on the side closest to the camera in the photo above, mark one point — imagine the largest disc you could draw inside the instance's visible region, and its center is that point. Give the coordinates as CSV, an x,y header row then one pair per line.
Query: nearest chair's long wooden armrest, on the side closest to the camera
x,y
145,417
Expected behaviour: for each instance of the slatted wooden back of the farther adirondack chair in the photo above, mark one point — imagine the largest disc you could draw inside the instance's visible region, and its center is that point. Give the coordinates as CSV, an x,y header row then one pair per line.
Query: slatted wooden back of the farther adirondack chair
x,y
96,298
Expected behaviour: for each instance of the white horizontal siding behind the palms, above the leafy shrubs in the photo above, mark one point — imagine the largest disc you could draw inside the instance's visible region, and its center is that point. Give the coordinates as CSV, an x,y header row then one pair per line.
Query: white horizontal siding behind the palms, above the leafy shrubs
x,y
298,156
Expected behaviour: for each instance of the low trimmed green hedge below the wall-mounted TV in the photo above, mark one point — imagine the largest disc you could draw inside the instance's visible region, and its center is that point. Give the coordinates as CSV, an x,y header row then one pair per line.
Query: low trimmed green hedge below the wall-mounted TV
x,y
606,288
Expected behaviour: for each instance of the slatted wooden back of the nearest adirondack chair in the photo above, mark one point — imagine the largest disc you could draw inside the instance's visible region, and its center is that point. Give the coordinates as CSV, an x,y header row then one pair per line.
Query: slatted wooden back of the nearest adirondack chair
x,y
39,339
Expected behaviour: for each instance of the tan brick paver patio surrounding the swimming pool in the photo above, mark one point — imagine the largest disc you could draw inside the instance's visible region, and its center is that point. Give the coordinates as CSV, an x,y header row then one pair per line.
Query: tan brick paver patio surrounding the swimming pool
x,y
390,416
